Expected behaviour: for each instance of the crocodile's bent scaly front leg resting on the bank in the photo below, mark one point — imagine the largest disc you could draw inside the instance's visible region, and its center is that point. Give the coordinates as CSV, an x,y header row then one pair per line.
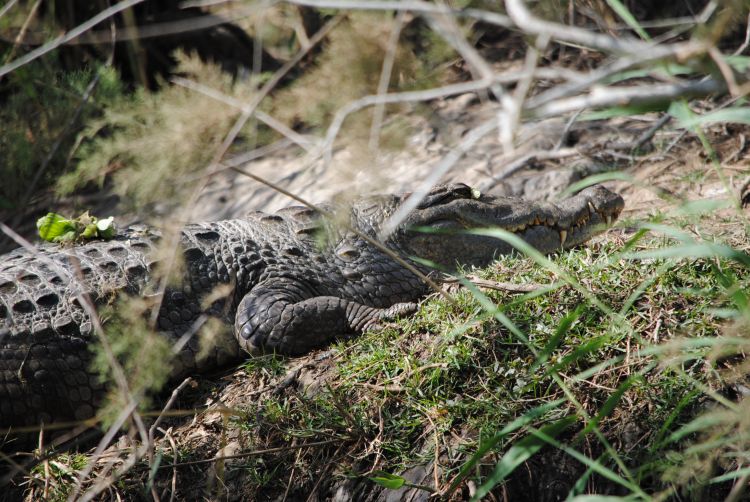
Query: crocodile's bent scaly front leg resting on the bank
x,y
282,316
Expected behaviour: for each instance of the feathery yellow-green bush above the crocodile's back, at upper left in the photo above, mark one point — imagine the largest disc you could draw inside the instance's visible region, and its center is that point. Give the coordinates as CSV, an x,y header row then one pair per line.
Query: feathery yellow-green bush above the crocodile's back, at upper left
x,y
147,139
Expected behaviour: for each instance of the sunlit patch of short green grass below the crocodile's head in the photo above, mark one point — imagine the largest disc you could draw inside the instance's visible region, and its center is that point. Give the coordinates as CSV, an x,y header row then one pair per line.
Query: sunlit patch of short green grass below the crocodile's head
x,y
628,372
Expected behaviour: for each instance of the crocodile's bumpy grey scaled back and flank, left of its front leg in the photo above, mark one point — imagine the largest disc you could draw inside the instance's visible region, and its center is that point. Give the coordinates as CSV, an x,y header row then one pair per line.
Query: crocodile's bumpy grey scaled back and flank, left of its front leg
x,y
46,332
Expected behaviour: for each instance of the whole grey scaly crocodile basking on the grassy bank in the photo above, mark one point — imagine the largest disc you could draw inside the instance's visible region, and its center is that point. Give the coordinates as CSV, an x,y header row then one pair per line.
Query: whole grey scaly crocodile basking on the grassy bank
x,y
288,282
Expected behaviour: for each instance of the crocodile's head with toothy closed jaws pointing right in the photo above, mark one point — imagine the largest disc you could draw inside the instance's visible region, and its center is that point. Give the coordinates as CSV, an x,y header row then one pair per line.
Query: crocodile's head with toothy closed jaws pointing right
x,y
437,229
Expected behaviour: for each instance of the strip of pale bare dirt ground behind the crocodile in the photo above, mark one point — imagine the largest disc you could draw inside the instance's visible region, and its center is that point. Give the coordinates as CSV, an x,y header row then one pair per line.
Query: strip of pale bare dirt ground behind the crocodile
x,y
549,156
